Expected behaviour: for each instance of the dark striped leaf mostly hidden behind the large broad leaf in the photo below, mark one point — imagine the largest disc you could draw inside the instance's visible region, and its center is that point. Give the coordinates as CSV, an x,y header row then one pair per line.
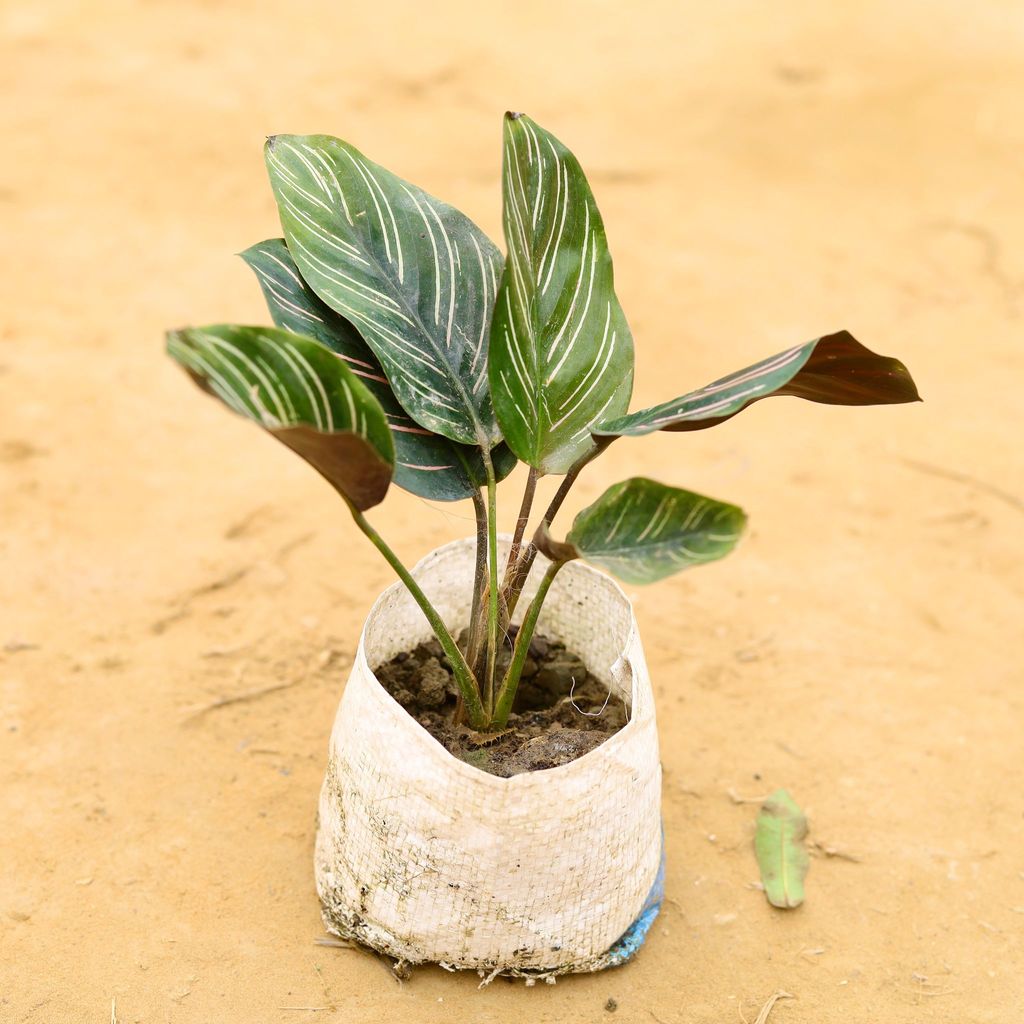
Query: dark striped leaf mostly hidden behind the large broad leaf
x,y
426,464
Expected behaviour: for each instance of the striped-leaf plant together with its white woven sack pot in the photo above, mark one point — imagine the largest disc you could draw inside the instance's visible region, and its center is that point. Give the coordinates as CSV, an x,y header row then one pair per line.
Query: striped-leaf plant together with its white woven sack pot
x,y
492,799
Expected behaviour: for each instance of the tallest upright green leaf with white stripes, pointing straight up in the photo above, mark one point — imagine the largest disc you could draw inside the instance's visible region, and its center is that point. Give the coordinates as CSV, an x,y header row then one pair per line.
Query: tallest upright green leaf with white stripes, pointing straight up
x,y
562,353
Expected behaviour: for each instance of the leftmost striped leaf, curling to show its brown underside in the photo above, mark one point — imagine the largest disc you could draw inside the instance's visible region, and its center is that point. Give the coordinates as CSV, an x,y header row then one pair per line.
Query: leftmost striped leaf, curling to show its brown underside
x,y
302,394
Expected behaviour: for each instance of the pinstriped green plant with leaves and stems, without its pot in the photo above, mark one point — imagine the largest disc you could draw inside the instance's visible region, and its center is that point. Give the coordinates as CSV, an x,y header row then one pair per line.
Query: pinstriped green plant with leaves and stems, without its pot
x,y
407,351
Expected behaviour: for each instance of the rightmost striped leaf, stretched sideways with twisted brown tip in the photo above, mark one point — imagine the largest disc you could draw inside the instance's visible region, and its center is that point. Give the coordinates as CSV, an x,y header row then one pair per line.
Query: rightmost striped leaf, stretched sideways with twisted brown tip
x,y
835,370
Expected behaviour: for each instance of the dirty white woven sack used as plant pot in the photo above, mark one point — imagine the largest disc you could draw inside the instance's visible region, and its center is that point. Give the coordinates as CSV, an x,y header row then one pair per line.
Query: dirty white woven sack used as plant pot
x,y
426,859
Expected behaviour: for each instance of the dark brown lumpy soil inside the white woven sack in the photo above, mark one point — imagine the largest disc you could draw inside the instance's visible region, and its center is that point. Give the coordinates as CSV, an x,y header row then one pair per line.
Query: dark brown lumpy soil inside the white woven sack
x,y
561,713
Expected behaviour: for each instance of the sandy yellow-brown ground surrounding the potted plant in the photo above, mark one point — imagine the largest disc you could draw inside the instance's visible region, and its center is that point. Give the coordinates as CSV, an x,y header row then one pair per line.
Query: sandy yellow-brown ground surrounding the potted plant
x,y
769,173
